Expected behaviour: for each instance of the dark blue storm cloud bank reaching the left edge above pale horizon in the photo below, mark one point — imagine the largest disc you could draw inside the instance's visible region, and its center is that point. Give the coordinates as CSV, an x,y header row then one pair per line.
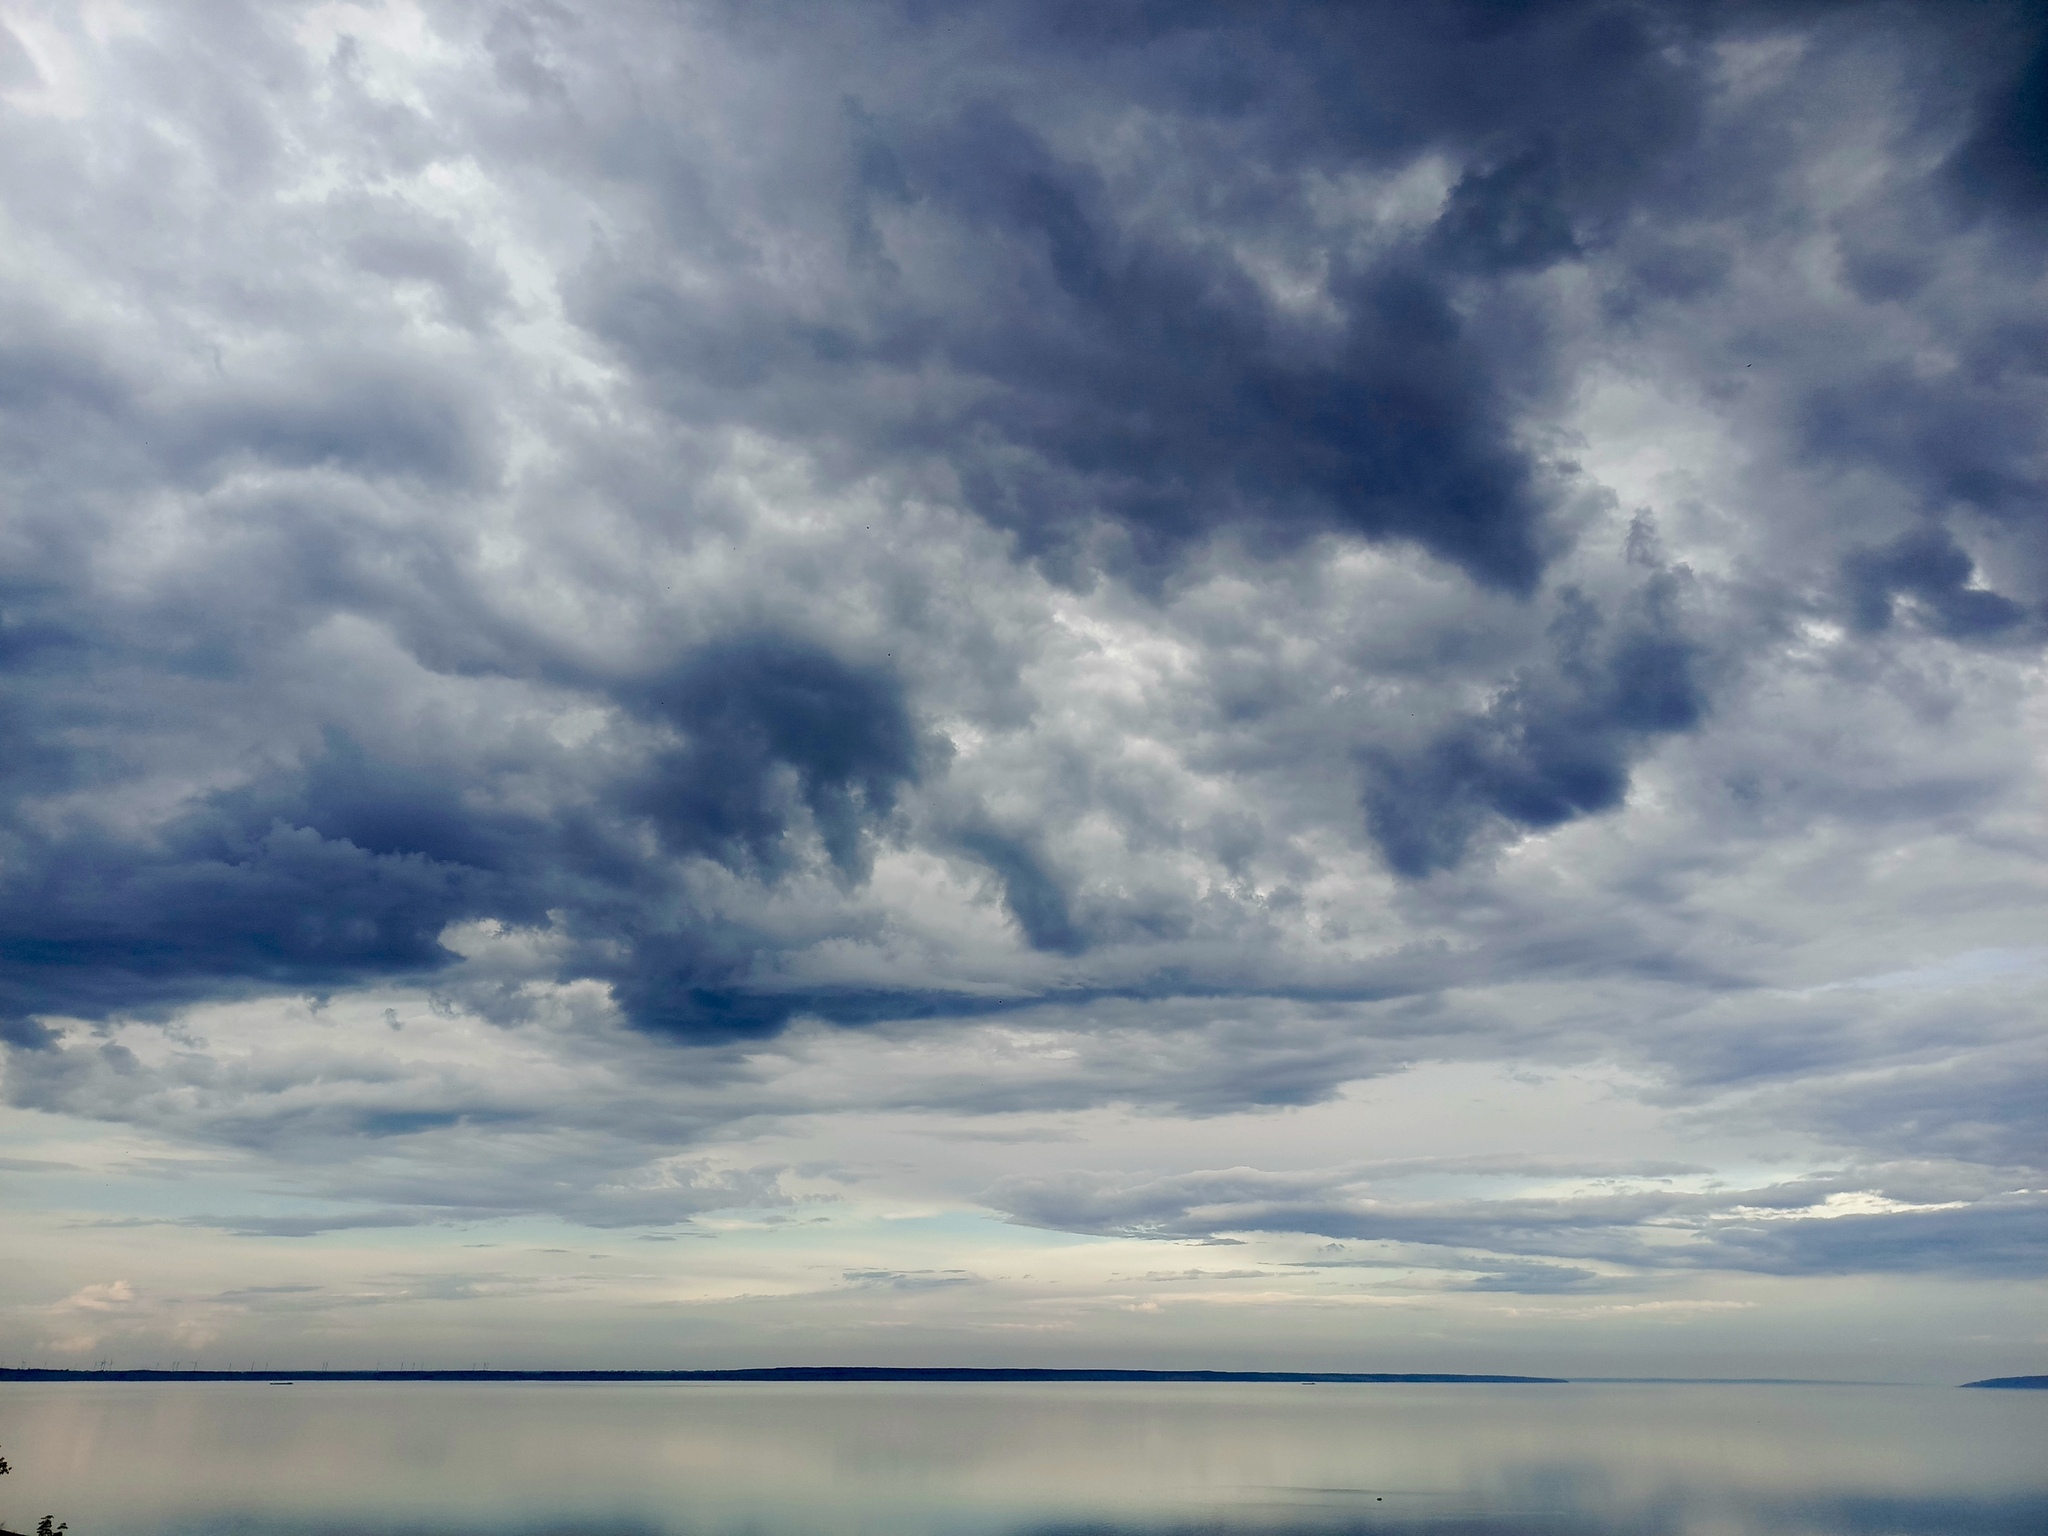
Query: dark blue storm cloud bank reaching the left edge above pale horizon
x,y
353,863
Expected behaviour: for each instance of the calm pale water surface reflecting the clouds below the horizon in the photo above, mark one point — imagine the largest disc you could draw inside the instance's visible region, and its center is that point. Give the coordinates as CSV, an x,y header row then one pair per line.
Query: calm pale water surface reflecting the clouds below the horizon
x,y
447,1459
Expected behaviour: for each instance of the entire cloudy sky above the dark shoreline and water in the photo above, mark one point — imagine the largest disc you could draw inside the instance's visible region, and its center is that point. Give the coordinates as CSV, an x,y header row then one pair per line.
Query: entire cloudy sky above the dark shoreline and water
x,y
1144,685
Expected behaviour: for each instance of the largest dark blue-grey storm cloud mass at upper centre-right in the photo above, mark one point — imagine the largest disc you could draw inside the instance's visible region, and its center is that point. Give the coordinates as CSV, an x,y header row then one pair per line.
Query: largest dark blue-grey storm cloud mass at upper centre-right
x,y
1113,380
